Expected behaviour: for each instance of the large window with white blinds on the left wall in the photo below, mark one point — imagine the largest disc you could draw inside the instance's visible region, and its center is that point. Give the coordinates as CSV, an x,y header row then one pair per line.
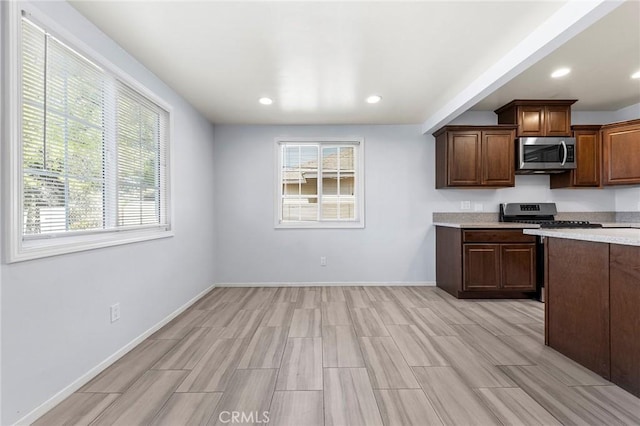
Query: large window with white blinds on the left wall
x,y
91,153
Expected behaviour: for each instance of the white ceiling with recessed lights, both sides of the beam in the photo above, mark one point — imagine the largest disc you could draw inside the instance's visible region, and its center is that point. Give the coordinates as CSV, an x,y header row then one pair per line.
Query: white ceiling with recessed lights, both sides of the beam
x,y
319,60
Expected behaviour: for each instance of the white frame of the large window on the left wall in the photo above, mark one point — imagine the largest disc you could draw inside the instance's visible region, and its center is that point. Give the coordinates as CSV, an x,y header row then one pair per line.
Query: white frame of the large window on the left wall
x,y
19,247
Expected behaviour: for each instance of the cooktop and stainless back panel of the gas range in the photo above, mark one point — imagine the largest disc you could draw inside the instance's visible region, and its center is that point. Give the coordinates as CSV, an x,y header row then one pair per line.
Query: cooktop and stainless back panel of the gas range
x,y
542,214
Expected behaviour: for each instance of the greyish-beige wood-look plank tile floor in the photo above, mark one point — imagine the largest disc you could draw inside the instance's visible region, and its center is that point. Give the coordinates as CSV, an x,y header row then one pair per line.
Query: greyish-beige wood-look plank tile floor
x,y
348,356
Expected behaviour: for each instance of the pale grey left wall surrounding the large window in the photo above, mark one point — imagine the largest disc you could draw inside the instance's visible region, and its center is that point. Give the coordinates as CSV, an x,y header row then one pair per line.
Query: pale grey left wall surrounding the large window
x,y
55,311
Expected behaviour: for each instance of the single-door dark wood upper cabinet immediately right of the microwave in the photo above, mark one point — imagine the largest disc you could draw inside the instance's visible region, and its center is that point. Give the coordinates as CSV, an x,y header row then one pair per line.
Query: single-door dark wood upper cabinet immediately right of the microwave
x,y
588,160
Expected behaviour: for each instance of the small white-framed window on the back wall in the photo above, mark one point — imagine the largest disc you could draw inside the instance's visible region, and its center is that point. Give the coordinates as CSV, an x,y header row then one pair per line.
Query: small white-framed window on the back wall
x,y
320,183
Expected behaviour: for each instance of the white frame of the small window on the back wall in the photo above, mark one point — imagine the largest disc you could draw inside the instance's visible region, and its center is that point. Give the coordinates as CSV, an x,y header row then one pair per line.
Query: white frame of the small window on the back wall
x,y
358,143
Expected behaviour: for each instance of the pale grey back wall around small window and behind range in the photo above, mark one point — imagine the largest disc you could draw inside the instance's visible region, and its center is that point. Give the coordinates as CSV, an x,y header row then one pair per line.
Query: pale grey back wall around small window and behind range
x,y
397,244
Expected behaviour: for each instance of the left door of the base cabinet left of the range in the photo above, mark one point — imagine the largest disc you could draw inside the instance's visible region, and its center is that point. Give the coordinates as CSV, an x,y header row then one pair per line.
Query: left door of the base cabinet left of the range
x,y
481,266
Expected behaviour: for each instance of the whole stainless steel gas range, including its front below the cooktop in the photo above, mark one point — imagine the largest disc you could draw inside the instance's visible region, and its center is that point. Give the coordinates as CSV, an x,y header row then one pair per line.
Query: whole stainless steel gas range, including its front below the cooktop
x,y
542,214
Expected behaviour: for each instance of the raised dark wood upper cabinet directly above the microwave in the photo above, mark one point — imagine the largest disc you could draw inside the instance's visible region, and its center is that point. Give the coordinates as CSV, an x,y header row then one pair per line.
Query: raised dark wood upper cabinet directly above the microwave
x,y
538,117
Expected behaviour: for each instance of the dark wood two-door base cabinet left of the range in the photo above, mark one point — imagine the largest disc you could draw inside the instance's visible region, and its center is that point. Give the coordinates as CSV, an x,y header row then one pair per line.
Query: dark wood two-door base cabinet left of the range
x,y
481,263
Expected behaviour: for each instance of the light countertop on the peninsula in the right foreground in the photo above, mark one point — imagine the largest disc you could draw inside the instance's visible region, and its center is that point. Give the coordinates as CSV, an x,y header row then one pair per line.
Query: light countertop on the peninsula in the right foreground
x,y
623,236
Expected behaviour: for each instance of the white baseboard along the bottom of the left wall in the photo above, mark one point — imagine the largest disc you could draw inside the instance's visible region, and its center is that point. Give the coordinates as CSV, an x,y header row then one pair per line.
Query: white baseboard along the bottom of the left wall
x,y
85,378
